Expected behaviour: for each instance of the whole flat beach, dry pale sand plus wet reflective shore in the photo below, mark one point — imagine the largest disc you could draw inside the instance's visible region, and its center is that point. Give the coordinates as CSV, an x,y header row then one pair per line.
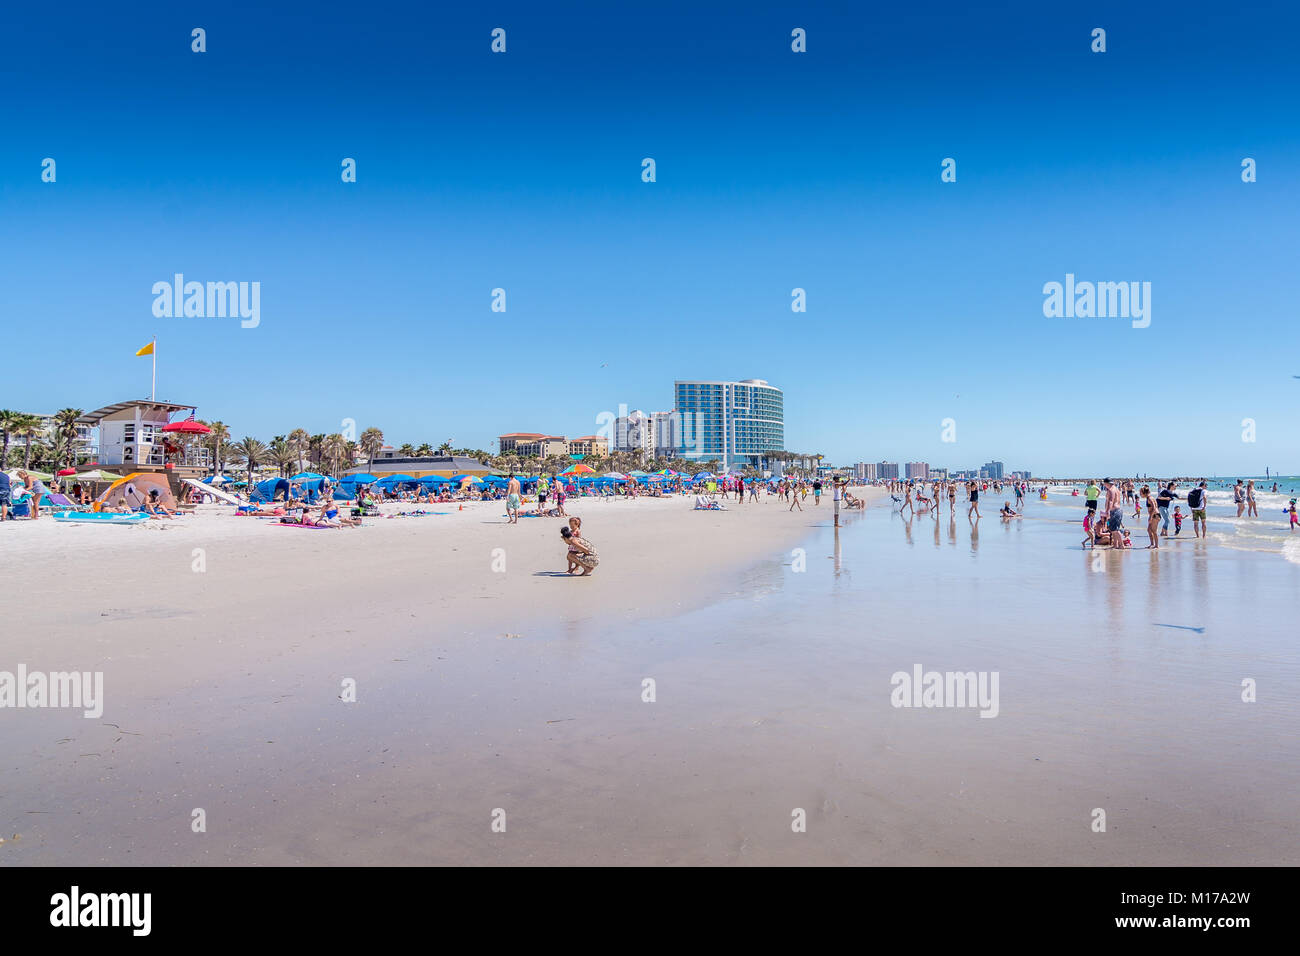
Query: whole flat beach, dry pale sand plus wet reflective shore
x,y
523,693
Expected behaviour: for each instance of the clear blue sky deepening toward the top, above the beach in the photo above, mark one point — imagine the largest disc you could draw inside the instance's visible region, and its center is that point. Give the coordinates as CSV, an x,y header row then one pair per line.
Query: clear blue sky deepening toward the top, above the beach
x,y
775,170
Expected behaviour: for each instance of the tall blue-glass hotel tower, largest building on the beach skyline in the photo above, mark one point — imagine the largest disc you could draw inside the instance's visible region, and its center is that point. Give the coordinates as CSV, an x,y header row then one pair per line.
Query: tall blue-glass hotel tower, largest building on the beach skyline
x,y
734,422
